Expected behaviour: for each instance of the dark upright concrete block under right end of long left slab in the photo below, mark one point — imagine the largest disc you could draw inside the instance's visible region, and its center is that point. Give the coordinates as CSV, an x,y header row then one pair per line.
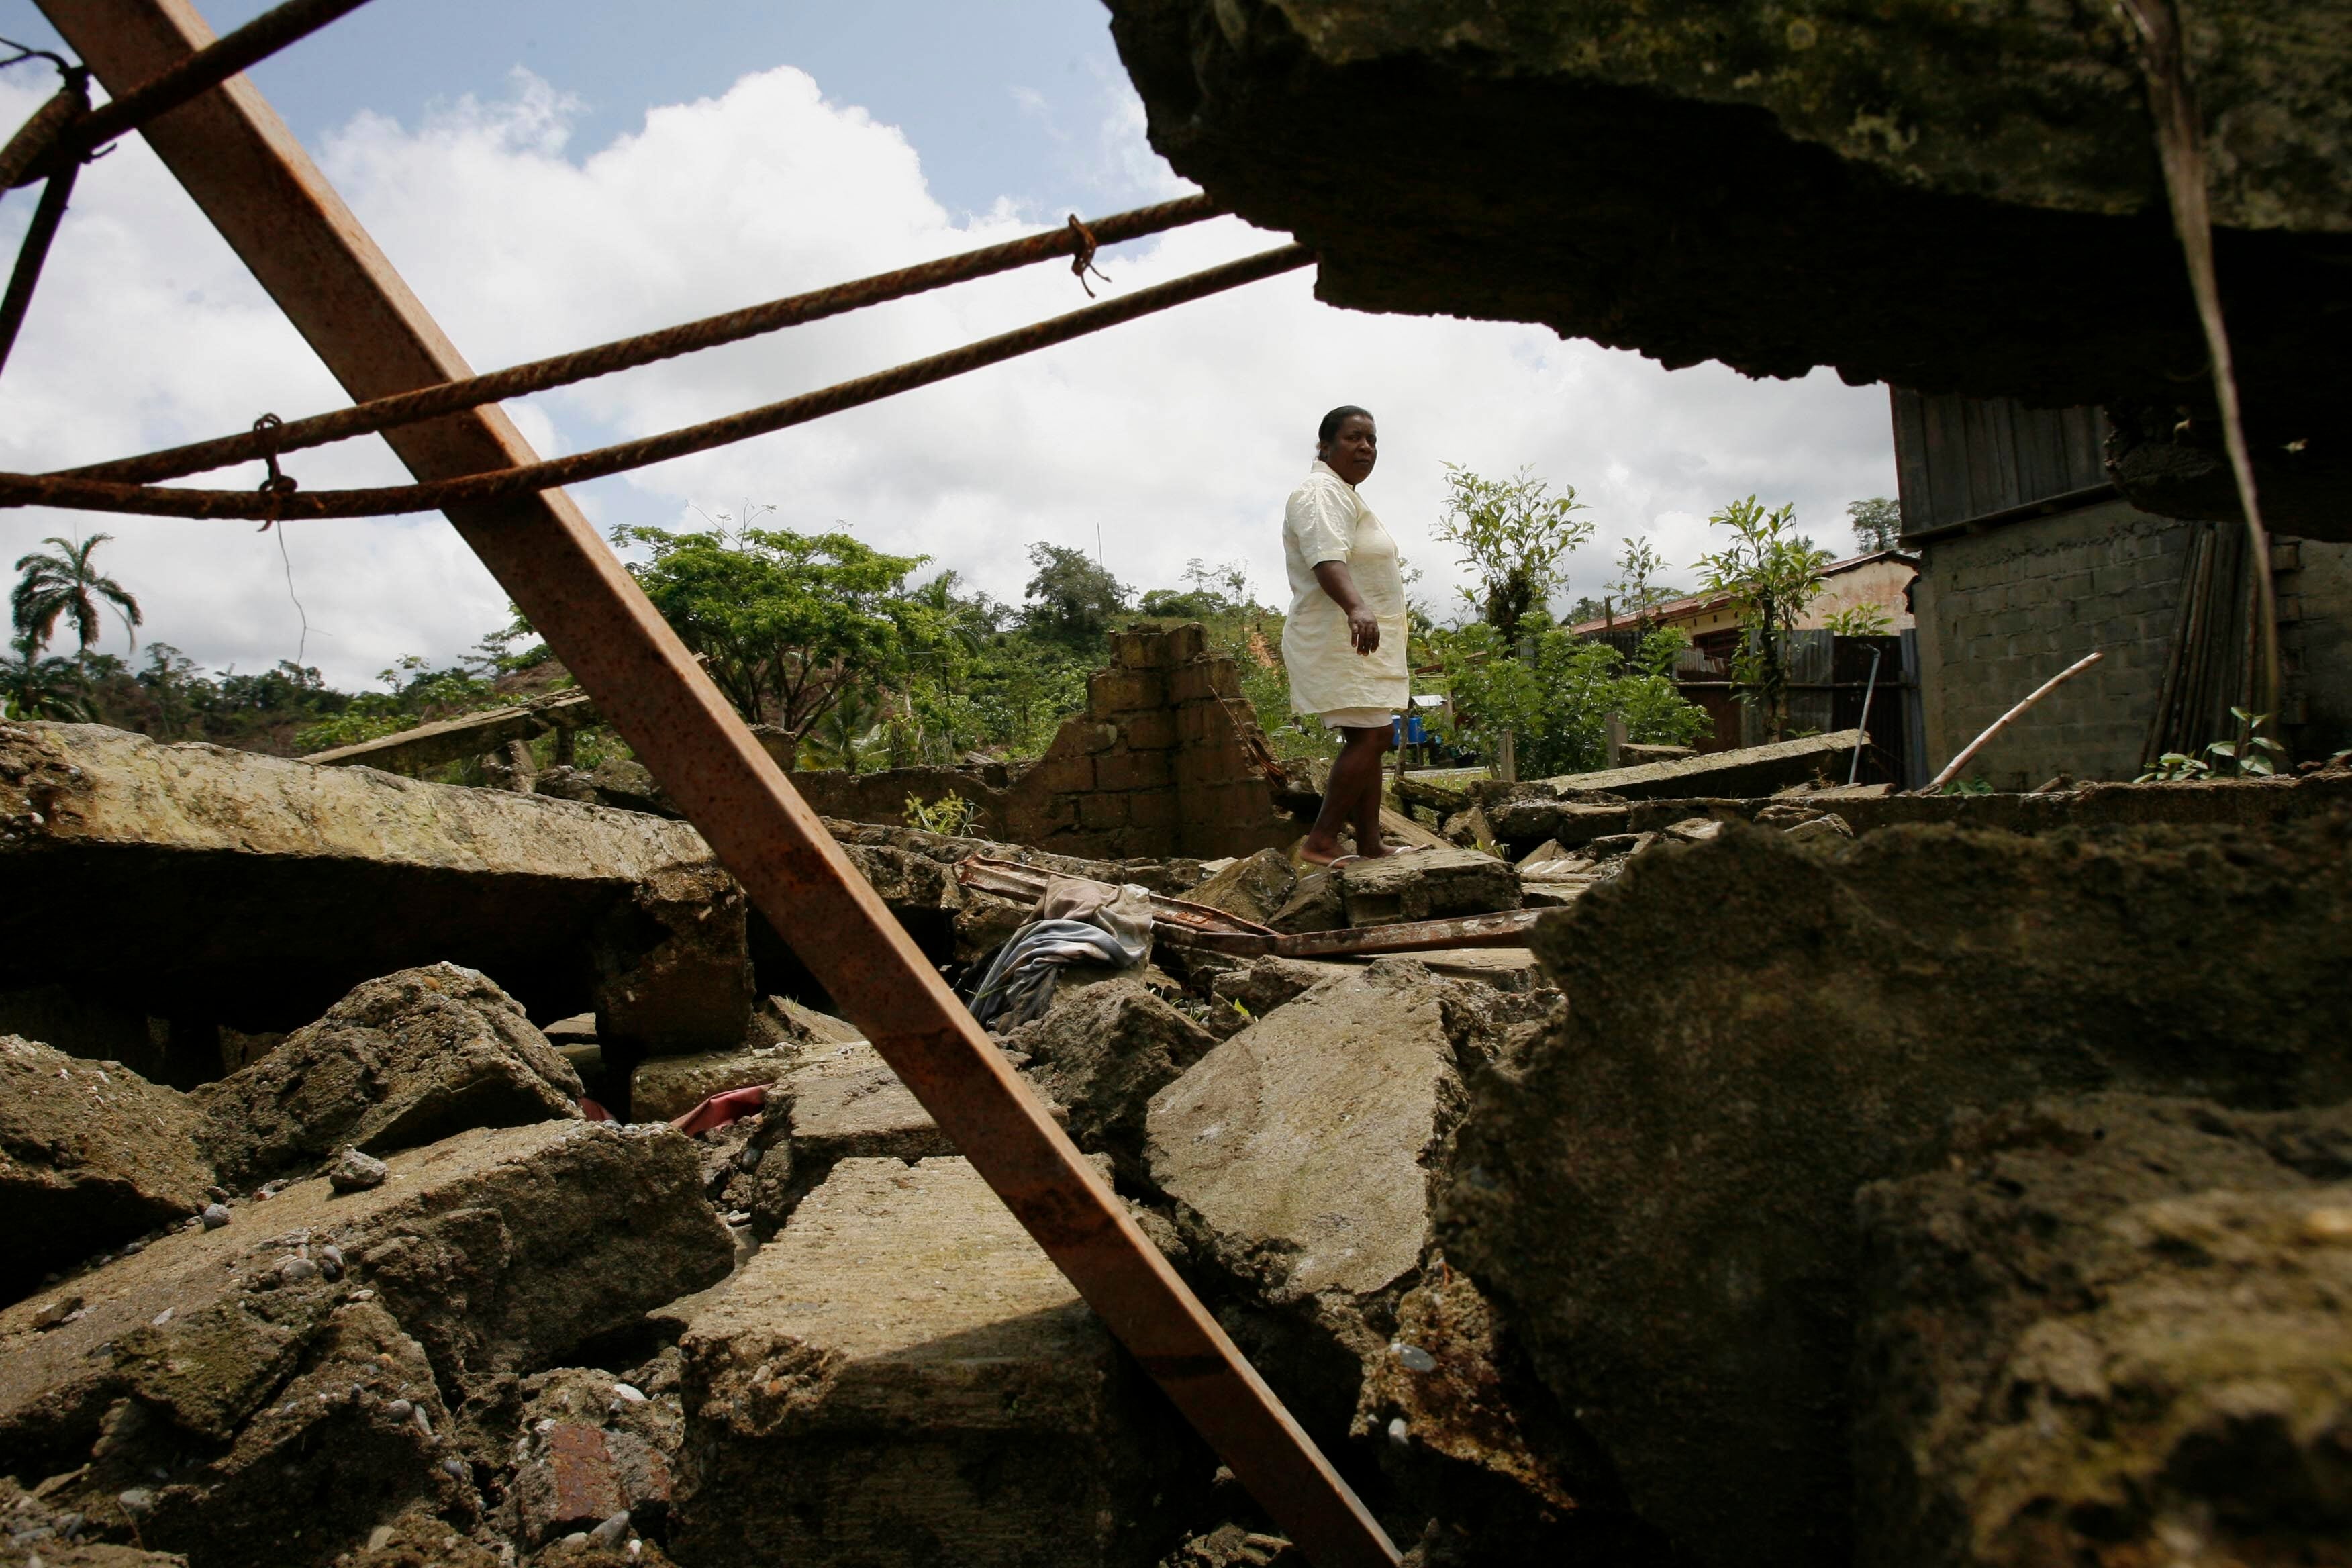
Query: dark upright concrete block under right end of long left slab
x,y
674,965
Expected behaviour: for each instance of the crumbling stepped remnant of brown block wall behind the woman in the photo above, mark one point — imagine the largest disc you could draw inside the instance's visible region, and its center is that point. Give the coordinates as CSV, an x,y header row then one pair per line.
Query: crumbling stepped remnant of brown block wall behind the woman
x,y
1168,760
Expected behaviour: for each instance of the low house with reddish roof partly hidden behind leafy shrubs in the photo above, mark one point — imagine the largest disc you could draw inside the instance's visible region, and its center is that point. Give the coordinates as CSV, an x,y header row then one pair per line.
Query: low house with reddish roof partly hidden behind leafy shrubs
x,y
1833,683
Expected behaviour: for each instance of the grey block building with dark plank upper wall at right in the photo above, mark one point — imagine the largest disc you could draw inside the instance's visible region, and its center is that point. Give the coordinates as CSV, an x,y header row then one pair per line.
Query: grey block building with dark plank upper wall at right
x,y
2031,558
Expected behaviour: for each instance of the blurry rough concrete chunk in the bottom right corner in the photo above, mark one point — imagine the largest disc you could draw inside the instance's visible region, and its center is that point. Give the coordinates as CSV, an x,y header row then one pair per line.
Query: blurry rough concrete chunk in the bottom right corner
x,y
2113,1329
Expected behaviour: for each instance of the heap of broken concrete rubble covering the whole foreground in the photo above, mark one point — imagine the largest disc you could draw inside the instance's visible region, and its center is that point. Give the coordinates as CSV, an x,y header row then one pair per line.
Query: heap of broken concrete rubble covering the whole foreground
x,y
1840,1177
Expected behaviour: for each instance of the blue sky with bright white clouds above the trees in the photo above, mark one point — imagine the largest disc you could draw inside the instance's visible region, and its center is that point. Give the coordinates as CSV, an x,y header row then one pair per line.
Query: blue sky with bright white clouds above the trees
x,y
556,173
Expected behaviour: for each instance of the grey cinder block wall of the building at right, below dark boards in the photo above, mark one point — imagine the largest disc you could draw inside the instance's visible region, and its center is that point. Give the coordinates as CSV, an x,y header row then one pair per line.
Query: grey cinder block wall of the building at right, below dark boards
x,y
2000,612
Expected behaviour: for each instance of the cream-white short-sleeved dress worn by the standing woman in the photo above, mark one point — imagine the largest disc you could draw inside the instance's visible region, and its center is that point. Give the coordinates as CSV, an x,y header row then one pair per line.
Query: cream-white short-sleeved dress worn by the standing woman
x,y
1330,523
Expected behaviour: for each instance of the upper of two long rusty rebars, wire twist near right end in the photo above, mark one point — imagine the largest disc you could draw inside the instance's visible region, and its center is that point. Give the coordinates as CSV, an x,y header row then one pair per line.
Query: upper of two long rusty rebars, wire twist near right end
x,y
655,347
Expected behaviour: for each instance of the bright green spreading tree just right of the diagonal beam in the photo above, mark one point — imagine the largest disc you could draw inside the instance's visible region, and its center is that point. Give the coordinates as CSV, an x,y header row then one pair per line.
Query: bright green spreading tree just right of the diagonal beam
x,y
791,624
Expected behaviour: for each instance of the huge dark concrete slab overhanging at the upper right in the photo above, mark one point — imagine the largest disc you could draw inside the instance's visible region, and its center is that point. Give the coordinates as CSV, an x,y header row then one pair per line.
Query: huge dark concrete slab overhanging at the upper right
x,y
1944,199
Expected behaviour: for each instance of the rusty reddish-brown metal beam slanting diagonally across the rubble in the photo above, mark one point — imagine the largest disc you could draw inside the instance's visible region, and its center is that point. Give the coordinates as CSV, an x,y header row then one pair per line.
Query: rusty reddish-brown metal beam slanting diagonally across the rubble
x,y
276,210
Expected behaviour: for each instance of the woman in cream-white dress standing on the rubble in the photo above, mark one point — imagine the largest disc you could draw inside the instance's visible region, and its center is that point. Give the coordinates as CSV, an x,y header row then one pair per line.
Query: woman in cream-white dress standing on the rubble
x,y
1344,641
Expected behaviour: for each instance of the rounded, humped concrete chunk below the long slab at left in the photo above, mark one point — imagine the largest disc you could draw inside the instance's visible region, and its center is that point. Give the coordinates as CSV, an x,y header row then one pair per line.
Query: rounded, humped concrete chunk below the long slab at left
x,y
399,1064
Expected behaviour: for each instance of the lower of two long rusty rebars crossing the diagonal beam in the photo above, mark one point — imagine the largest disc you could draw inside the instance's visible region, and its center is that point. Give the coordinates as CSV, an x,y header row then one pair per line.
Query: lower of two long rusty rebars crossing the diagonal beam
x,y
505,483
